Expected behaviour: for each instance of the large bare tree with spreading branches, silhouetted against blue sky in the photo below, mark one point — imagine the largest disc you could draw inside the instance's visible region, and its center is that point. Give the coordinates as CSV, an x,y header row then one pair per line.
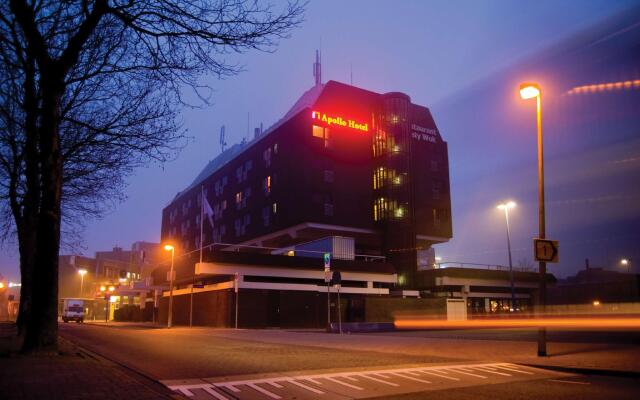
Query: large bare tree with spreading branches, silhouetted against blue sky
x,y
89,91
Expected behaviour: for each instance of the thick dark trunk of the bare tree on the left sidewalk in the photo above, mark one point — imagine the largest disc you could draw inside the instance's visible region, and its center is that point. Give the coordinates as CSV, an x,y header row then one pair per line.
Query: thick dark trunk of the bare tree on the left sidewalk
x,y
42,325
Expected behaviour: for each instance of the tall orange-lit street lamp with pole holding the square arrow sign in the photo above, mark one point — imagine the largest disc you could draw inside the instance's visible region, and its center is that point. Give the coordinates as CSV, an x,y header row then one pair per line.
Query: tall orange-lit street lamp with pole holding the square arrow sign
x,y
530,91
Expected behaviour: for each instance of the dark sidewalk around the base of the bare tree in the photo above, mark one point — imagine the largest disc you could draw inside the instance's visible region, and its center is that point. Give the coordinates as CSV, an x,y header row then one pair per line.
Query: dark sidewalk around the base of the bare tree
x,y
74,374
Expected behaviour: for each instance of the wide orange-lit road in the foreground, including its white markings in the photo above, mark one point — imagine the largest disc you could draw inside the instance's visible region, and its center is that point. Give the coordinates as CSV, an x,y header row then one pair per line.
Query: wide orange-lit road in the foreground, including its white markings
x,y
204,363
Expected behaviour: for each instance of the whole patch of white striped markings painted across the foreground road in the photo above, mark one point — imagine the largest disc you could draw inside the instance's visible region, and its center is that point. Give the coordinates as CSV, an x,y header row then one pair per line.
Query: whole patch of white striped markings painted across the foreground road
x,y
344,383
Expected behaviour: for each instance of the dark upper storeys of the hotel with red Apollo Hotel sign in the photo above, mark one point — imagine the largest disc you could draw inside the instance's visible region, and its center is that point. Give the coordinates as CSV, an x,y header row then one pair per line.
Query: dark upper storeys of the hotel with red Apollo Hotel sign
x,y
343,161
